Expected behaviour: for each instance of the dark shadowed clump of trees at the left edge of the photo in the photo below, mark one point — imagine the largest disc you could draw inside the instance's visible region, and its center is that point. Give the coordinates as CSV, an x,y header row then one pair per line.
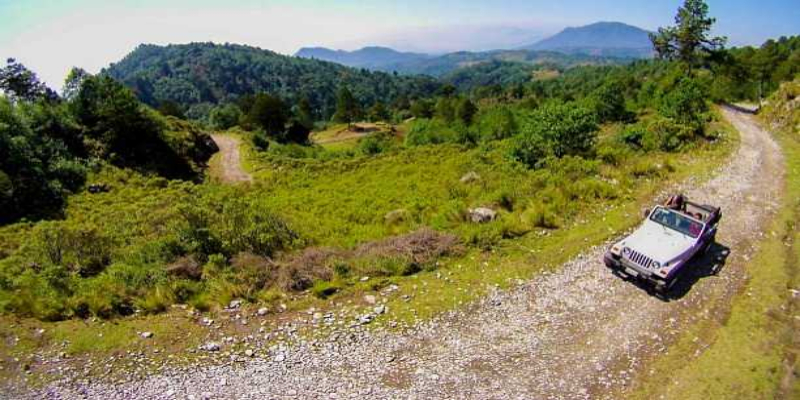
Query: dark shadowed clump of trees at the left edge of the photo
x,y
48,142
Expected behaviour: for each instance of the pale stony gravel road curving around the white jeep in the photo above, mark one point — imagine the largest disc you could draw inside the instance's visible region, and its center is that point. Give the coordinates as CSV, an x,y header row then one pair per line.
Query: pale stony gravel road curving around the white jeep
x,y
576,333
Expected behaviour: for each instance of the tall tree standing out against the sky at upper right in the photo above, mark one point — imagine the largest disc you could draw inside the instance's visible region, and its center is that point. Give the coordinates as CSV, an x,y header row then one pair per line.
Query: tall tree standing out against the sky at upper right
x,y
689,40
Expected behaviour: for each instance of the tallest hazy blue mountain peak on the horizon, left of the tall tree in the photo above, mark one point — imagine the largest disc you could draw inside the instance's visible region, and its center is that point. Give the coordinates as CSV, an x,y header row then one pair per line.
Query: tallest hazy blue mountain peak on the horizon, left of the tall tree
x,y
613,39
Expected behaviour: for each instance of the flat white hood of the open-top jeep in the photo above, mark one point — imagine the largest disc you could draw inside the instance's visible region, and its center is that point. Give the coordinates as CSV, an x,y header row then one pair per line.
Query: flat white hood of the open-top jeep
x,y
658,242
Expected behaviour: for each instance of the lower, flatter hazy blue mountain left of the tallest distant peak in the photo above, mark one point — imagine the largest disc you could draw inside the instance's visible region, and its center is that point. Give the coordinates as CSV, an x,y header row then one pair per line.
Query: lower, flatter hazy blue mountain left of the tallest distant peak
x,y
376,58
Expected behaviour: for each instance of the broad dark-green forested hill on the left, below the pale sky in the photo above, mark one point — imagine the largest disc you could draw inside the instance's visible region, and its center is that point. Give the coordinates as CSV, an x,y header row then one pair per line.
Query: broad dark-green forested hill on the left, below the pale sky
x,y
199,75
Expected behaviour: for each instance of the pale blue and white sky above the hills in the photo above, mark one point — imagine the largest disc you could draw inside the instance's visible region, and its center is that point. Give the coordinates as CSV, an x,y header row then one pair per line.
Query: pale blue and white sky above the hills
x,y
51,36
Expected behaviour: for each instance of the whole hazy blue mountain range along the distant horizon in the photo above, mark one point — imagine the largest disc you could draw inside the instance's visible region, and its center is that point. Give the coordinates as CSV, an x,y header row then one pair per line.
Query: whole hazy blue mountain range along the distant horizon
x,y
603,39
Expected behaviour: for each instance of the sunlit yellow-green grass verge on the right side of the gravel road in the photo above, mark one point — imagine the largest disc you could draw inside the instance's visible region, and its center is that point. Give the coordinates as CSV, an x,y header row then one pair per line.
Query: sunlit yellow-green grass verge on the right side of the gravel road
x,y
754,353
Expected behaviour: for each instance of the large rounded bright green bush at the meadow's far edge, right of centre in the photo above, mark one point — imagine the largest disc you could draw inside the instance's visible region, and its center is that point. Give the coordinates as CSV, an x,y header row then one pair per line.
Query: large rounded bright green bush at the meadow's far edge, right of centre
x,y
554,130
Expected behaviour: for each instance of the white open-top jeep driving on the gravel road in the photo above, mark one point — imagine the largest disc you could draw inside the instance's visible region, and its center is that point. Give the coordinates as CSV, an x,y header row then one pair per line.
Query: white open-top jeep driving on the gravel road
x,y
660,249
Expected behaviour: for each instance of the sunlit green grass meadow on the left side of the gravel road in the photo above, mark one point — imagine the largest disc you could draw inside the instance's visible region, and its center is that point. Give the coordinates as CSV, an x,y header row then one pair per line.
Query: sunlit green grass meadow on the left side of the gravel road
x,y
342,203
